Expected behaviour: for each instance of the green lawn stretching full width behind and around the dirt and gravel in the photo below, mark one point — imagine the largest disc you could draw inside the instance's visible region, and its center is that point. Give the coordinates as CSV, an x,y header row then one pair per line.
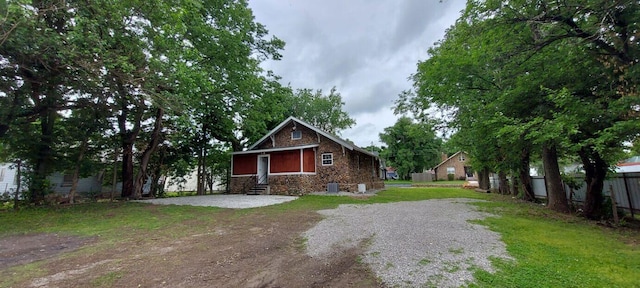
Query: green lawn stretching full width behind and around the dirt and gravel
x,y
550,249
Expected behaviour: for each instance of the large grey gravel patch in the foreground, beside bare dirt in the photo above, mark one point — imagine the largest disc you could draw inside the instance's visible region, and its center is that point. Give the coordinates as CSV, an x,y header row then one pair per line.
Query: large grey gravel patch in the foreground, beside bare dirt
x,y
409,244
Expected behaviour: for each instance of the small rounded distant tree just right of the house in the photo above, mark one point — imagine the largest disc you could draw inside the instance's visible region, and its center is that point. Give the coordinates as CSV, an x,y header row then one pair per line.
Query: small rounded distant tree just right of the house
x,y
410,147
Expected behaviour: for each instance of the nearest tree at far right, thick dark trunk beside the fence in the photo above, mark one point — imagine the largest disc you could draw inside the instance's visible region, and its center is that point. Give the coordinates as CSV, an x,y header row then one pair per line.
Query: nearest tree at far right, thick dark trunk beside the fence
x,y
604,34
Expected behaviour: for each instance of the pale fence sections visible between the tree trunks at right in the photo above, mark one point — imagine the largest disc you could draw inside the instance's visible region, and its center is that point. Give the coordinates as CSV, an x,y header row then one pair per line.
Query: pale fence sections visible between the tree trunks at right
x,y
625,186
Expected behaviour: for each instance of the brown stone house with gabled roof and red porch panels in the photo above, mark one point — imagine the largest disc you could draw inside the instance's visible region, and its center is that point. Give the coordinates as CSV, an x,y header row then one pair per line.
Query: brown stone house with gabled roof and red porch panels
x,y
296,158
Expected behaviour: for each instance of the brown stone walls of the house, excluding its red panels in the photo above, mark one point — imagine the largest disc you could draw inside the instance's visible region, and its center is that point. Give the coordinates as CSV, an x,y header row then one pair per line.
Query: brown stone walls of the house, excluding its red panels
x,y
350,167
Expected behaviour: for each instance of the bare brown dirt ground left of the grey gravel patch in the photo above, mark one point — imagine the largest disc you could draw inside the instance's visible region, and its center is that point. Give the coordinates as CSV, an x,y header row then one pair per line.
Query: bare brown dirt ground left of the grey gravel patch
x,y
255,250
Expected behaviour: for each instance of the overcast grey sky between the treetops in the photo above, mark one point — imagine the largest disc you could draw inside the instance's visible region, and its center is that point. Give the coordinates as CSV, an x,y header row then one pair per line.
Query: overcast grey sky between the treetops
x,y
365,48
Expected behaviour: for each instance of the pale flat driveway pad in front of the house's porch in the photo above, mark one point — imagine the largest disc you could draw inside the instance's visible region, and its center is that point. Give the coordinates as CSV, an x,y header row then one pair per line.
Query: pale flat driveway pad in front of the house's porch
x,y
236,201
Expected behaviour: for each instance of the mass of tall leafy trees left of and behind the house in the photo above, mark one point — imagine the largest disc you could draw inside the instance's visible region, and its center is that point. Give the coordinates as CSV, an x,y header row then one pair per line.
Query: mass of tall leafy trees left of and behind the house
x,y
137,90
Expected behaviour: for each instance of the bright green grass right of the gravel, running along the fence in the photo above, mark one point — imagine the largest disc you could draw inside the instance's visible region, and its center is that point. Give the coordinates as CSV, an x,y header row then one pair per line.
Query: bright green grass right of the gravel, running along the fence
x,y
554,250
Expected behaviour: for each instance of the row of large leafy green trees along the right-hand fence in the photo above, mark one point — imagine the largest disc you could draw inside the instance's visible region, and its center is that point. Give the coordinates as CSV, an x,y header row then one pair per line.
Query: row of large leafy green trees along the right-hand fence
x,y
520,81
